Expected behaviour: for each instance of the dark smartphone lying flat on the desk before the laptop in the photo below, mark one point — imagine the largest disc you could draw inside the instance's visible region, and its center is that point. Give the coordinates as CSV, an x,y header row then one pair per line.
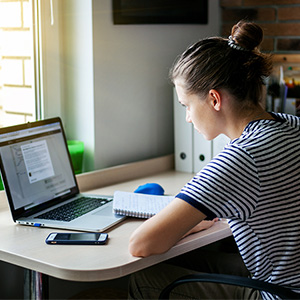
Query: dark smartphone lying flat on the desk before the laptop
x,y
77,238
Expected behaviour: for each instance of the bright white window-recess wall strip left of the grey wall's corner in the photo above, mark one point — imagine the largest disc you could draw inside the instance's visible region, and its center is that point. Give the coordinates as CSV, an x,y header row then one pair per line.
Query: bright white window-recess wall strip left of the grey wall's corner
x,y
78,74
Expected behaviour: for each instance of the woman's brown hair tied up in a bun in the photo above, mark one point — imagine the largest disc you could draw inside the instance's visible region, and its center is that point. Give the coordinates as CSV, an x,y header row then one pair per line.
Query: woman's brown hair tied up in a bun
x,y
236,64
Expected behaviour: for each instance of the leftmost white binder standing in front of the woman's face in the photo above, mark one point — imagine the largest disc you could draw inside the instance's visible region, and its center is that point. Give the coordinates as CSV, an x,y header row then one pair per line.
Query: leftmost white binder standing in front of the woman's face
x,y
183,136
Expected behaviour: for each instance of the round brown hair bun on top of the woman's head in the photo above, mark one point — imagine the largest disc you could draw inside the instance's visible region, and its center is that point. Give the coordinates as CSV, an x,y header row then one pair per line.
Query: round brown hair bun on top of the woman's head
x,y
246,34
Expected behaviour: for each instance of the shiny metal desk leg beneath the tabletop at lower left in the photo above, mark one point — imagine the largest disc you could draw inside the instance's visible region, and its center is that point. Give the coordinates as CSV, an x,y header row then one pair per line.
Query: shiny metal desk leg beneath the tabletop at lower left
x,y
35,285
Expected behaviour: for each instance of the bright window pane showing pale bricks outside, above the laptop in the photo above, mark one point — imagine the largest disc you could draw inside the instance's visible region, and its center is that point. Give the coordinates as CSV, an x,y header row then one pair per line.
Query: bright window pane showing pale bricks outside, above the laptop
x,y
17,90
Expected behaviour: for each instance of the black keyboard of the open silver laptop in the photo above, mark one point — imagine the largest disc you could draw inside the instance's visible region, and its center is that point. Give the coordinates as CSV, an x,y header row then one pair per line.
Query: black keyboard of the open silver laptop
x,y
74,209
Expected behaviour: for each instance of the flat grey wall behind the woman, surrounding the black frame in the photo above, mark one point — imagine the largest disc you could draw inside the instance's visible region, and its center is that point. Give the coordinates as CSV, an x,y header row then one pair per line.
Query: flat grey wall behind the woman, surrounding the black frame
x,y
133,98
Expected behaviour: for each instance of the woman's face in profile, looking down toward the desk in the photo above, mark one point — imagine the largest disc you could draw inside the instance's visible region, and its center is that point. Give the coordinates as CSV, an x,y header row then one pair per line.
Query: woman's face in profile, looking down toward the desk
x,y
198,111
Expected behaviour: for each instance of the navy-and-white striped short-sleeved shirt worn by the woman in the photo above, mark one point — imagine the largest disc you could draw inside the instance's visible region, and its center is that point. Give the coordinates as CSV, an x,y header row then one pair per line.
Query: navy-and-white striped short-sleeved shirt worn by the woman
x,y
255,183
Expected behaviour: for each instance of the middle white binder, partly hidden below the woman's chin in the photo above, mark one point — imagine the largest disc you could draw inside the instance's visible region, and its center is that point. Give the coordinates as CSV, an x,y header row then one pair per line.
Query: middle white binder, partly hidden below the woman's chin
x,y
202,151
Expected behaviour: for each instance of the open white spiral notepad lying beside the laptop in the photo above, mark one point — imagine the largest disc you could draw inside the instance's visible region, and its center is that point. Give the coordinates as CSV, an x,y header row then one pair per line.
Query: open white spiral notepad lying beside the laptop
x,y
139,205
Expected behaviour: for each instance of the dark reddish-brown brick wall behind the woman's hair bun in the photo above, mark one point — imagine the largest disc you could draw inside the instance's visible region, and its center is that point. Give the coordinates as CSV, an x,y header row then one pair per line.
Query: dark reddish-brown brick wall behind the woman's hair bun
x,y
280,20
